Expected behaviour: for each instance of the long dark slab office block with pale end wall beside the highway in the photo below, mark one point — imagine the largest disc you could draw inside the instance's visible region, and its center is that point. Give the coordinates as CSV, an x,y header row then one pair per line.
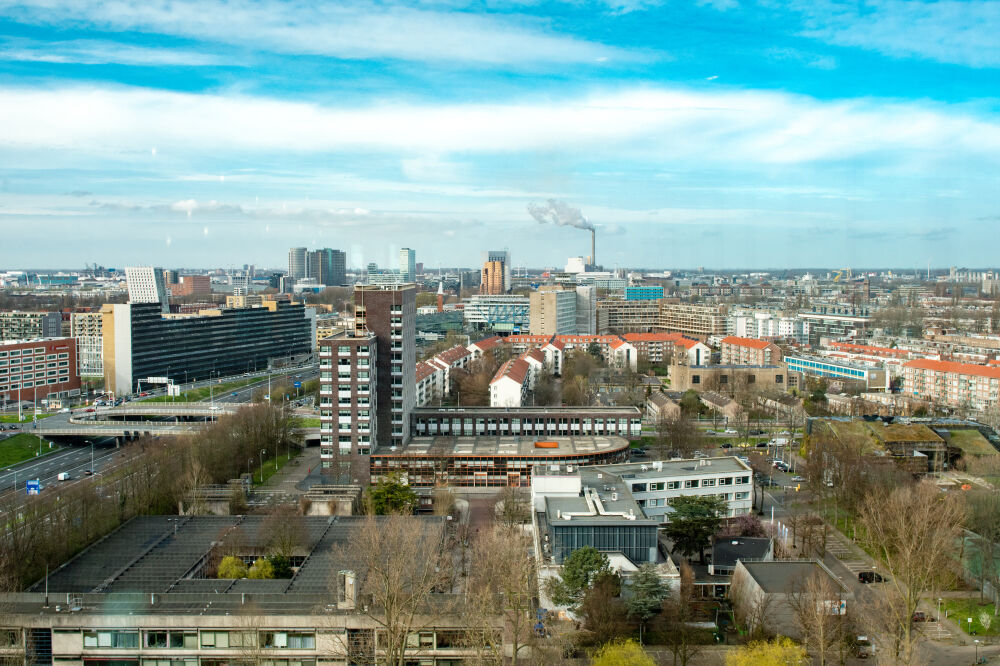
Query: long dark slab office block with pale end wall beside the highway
x,y
140,342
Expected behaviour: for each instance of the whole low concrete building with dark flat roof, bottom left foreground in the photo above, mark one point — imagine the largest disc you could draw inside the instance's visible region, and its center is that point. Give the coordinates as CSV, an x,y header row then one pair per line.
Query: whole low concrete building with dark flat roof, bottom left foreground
x,y
148,594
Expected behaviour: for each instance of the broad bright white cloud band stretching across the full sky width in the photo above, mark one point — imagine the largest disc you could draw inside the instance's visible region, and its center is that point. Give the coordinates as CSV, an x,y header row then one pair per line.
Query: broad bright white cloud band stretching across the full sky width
x,y
709,127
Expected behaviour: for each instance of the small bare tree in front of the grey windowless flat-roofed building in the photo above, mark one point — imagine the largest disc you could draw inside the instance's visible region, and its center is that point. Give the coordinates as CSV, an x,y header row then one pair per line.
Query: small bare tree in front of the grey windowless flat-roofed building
x,y
814,604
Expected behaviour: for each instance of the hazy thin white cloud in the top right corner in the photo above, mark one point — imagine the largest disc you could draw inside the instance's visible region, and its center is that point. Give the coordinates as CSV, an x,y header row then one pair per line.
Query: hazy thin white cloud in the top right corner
x,y
950,31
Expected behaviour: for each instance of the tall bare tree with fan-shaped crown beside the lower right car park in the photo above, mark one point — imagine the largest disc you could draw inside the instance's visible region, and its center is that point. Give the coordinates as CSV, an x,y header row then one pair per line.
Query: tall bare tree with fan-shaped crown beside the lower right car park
x,y
912,529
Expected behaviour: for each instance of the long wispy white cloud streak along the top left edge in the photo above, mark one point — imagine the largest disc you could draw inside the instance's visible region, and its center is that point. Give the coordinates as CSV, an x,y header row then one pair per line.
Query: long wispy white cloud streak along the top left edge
x,y
338,29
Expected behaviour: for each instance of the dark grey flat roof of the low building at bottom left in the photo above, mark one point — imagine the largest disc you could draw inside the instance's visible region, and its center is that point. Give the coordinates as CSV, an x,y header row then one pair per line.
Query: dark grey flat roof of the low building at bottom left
x,y
166,556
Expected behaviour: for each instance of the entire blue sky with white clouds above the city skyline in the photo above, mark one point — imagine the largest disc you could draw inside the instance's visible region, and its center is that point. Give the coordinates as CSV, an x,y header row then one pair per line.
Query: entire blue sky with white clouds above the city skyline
x,y
716,133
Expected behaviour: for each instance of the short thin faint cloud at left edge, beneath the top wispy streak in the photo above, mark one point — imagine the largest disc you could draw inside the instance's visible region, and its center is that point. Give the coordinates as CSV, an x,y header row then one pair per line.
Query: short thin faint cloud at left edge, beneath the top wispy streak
x,y
100,52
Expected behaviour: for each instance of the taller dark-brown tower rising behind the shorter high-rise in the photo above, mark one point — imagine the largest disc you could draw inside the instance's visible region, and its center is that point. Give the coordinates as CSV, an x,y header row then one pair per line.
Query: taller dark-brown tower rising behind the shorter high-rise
x,y
389,313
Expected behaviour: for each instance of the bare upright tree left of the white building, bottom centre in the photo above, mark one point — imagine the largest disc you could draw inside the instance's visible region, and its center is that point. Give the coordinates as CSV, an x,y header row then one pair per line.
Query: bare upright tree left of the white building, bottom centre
x,y
502,579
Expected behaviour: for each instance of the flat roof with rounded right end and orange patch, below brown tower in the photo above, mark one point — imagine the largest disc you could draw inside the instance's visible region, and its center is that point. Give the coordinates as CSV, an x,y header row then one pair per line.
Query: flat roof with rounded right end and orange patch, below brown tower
x,y
485,445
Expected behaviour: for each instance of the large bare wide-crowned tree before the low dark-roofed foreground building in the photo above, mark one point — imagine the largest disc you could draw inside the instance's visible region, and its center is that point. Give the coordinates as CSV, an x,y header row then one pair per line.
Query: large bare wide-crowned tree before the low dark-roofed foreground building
x,y
401,563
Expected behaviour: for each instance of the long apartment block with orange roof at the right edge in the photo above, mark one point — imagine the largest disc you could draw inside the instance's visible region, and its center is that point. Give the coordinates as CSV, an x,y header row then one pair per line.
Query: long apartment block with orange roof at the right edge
x,y
959,385
